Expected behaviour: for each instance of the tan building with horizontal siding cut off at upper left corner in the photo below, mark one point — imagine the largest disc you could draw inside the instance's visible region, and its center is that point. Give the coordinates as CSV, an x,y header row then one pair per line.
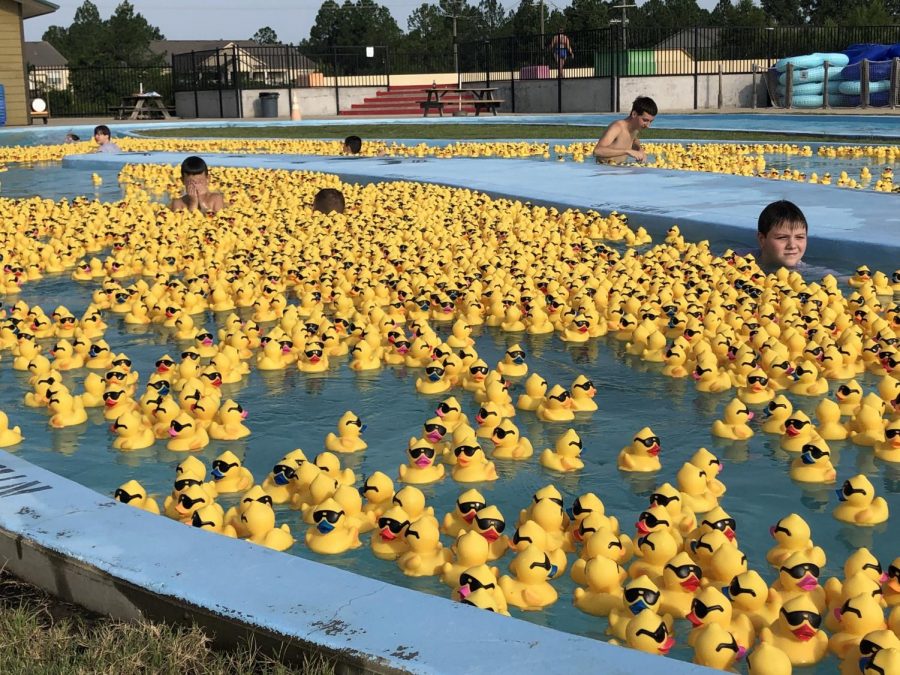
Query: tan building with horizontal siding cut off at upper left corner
x,y
12,59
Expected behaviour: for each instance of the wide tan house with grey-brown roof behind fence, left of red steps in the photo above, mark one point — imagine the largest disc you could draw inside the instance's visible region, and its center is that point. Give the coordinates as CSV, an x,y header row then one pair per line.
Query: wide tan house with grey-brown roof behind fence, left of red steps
x,y
267,65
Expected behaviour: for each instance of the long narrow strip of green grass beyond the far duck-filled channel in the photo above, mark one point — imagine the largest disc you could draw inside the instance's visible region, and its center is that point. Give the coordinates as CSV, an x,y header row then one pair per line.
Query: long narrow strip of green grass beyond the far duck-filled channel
x,y
483,132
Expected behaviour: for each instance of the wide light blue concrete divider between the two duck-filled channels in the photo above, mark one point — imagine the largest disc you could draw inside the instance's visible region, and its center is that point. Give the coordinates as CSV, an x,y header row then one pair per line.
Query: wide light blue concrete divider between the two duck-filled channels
x,y
850,225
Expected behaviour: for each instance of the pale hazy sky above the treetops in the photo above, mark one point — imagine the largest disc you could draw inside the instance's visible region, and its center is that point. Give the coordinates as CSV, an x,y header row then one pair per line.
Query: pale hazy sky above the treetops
x,y
233,19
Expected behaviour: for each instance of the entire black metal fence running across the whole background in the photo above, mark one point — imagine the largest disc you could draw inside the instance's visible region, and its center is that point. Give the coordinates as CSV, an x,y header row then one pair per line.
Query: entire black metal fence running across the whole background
x,y
610,52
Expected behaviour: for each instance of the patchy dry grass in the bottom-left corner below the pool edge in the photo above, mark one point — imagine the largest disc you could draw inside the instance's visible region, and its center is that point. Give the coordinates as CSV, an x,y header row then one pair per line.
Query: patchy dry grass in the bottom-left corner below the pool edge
x,y
39,634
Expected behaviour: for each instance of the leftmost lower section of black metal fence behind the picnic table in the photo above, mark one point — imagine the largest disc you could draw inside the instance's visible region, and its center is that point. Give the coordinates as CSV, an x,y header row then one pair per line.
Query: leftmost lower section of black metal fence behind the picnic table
x,y
92,91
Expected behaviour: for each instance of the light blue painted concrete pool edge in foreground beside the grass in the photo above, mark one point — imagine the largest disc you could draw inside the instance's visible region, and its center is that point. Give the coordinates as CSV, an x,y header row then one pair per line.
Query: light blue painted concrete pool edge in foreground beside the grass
x,y
117,560
